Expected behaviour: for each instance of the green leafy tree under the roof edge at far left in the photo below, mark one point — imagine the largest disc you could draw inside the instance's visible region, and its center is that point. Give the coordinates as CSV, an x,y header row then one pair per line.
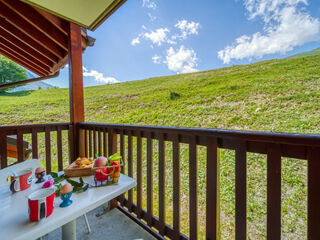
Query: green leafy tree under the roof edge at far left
x,y
10,72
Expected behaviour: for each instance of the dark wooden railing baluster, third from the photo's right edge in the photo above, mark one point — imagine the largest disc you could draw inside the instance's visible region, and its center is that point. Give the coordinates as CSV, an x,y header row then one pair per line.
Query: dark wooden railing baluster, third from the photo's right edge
x,y
241,191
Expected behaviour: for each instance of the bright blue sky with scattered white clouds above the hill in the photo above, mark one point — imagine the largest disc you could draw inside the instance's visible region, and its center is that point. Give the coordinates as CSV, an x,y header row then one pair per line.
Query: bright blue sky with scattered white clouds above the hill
x,y
147,38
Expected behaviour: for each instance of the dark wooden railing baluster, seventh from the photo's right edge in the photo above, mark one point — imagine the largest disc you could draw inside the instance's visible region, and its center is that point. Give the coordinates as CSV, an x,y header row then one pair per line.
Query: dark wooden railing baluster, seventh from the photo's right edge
x,y
162,190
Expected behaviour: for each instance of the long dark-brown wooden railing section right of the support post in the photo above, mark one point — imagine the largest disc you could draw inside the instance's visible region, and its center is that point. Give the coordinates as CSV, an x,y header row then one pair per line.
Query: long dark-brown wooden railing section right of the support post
x,y
109,138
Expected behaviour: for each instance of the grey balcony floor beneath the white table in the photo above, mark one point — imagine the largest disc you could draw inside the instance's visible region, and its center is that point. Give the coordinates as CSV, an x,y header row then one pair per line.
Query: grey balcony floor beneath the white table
x,y
112,225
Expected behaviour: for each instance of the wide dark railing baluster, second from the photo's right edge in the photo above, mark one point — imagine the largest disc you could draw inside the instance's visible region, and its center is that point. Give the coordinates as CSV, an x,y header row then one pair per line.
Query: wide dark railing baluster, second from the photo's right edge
x,y
274,192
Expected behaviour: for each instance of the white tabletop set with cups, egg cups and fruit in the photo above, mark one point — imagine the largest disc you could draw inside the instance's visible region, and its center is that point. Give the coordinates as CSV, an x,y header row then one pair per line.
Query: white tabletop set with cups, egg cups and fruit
x,y
14,219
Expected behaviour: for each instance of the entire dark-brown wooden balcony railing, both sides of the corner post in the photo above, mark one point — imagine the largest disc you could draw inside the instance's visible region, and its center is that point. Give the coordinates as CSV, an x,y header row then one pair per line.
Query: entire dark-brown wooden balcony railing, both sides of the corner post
x,y
147,151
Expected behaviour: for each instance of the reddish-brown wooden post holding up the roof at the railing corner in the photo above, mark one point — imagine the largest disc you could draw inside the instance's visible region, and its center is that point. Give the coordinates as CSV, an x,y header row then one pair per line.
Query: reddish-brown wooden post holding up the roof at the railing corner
x,y
76,88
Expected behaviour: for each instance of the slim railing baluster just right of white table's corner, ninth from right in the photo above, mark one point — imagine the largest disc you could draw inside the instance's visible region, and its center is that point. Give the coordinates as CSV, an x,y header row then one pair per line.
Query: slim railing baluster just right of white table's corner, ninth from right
x,y
139,175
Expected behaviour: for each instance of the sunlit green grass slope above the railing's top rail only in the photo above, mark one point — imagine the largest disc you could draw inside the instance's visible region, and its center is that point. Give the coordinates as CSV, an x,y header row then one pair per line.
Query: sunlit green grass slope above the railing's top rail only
x,y
277,95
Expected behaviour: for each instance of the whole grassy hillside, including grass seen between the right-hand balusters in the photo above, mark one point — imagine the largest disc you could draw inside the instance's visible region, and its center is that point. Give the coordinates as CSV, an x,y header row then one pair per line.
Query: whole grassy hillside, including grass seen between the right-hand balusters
x,y
277,95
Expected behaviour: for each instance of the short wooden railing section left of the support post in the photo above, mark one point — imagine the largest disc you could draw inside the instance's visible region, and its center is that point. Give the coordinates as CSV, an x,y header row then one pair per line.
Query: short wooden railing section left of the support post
x,y
38,135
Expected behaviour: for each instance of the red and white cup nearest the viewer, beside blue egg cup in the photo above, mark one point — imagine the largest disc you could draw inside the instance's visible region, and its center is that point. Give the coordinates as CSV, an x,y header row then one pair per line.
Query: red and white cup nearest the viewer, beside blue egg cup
x,y
41,204
